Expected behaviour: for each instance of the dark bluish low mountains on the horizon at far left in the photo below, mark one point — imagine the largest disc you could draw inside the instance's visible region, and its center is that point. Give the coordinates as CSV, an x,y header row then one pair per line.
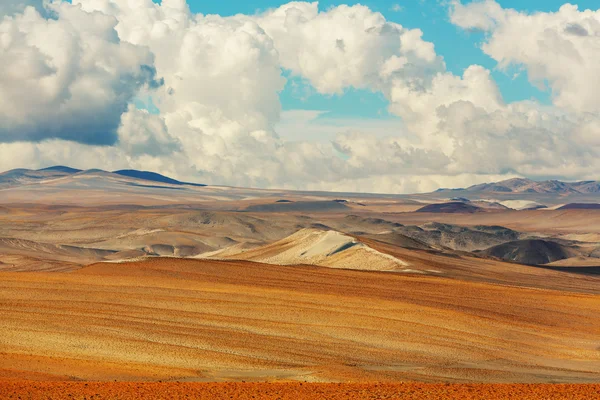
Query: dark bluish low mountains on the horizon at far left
x,y
21,176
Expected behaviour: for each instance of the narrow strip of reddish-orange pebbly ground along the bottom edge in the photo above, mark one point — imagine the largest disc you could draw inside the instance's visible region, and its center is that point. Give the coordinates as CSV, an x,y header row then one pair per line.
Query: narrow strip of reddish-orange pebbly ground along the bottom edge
x,y
284,391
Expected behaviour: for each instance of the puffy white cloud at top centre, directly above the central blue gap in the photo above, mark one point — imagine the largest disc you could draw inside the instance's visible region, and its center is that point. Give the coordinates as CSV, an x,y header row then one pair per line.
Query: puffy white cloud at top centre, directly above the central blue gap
x,y
347,46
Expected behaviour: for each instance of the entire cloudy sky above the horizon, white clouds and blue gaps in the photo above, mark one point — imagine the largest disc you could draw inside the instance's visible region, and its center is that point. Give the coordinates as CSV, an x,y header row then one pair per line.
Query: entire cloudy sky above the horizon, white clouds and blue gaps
x,y
373,96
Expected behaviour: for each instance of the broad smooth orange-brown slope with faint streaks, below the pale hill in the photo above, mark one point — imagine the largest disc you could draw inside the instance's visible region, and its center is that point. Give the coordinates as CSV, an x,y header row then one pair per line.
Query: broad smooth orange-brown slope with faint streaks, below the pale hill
x,y
211,321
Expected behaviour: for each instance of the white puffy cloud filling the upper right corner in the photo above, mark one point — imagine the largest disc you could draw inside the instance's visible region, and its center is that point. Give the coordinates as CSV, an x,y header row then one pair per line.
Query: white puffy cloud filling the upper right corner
x,y
558,48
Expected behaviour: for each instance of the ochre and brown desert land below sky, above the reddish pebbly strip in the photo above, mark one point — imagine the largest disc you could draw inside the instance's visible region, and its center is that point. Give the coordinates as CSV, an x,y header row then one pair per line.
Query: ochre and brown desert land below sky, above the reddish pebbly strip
x,y
109,277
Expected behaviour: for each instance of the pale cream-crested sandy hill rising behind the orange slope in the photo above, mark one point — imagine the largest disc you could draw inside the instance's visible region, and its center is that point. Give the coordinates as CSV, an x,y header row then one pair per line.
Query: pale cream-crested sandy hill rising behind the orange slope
x,y
317,247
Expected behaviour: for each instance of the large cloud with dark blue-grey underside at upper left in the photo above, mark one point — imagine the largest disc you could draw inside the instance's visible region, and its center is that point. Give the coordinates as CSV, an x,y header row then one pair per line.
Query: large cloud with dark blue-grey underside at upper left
x,y
77,90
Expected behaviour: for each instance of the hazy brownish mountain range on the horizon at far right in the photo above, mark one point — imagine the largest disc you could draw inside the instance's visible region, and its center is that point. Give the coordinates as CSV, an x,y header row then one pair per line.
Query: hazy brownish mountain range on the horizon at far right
x,y
520,185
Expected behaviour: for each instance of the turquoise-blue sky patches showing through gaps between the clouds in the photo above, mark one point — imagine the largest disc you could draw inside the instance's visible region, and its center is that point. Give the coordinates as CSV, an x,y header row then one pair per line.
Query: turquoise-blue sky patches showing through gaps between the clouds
x,y
459,49
